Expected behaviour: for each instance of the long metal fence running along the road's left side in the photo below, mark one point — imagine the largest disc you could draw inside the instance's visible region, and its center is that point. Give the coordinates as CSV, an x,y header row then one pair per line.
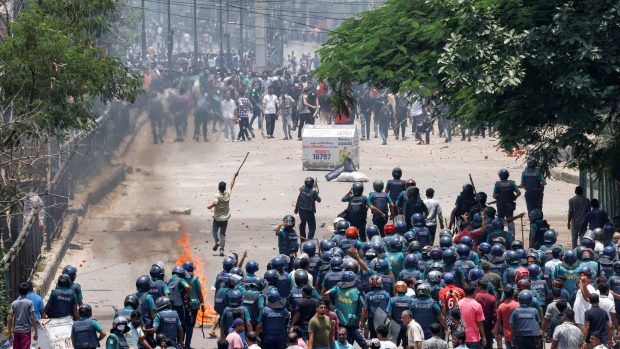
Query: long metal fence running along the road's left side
x,y
74,162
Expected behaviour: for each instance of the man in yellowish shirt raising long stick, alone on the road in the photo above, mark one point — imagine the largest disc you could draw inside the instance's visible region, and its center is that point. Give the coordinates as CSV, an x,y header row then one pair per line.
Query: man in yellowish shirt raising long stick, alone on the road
x,y
221,214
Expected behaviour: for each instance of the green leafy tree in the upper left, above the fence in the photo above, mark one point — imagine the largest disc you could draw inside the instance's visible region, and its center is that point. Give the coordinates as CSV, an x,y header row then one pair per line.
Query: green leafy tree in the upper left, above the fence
x,y
52,71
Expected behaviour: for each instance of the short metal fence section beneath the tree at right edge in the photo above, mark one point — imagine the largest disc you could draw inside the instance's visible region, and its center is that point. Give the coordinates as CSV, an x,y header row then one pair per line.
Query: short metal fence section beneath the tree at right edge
x,y
605,189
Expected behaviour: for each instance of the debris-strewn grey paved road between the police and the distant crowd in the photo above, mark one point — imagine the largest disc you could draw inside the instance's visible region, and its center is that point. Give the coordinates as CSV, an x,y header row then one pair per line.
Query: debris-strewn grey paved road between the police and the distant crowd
x,y
131,229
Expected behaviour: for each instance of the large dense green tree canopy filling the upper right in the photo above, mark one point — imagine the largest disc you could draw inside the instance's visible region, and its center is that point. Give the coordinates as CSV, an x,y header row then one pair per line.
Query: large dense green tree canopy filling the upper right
x,y
544,74
